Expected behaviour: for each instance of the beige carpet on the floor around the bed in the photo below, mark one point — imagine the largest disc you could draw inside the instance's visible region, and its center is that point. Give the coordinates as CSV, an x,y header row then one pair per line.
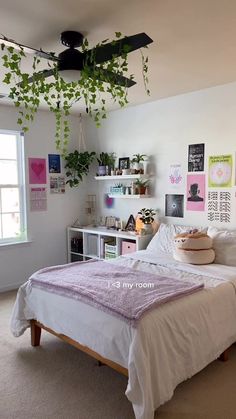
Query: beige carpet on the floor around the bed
x,y
58,381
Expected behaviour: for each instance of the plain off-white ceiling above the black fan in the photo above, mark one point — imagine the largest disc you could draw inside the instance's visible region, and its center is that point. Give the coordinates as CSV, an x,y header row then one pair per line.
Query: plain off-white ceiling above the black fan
x,y
194,40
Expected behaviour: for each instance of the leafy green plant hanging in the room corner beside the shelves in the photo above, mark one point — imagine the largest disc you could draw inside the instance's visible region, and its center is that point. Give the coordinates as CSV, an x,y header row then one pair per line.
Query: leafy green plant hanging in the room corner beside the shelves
x,y
77,165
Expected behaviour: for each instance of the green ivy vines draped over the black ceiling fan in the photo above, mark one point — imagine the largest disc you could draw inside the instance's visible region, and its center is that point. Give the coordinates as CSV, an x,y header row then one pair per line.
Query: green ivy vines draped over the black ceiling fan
x,y
29,90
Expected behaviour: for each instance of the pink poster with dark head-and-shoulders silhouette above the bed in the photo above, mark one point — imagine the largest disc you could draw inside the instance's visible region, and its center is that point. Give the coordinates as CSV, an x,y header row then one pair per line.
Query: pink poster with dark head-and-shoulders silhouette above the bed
x,y
195,192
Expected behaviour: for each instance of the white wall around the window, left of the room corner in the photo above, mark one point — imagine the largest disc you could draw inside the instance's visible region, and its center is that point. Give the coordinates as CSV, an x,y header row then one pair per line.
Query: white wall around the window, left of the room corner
x,y
47,229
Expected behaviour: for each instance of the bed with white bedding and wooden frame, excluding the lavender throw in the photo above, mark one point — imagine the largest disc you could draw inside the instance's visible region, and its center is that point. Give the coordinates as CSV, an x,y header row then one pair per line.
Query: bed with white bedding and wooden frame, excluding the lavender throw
x,y
171,342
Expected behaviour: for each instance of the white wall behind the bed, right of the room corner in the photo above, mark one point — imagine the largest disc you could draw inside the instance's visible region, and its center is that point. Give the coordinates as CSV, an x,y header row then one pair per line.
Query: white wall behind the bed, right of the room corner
x,y
163,130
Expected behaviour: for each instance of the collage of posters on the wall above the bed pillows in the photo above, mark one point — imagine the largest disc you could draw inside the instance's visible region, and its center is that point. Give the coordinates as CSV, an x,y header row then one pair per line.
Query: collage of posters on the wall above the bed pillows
x,y
217,200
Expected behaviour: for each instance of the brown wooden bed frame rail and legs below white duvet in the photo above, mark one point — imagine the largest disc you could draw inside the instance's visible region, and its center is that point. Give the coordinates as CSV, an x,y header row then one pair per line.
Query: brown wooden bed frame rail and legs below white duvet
x,y
36,328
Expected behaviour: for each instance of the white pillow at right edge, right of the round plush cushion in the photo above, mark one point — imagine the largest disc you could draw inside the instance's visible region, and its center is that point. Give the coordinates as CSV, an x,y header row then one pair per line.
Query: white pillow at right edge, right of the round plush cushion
x,y
224,244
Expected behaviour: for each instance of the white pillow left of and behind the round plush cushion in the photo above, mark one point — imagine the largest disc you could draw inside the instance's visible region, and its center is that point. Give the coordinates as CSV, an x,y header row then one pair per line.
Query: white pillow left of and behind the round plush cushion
x,y
163,239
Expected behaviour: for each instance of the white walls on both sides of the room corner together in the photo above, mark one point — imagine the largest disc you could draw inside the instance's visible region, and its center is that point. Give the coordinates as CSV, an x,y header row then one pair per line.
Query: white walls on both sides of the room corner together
x,y
161,129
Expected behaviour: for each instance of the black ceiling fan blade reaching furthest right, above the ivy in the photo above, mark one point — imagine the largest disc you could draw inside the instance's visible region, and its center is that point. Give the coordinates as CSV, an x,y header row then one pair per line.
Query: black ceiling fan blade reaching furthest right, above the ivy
x,y
116,48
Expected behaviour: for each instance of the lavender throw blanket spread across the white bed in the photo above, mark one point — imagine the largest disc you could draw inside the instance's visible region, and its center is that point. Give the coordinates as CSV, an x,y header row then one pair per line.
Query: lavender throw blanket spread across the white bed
x,y
119,290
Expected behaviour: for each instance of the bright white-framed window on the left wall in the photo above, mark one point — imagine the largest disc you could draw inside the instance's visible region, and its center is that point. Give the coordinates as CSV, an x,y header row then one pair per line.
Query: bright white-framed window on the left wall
x,y
12,188
